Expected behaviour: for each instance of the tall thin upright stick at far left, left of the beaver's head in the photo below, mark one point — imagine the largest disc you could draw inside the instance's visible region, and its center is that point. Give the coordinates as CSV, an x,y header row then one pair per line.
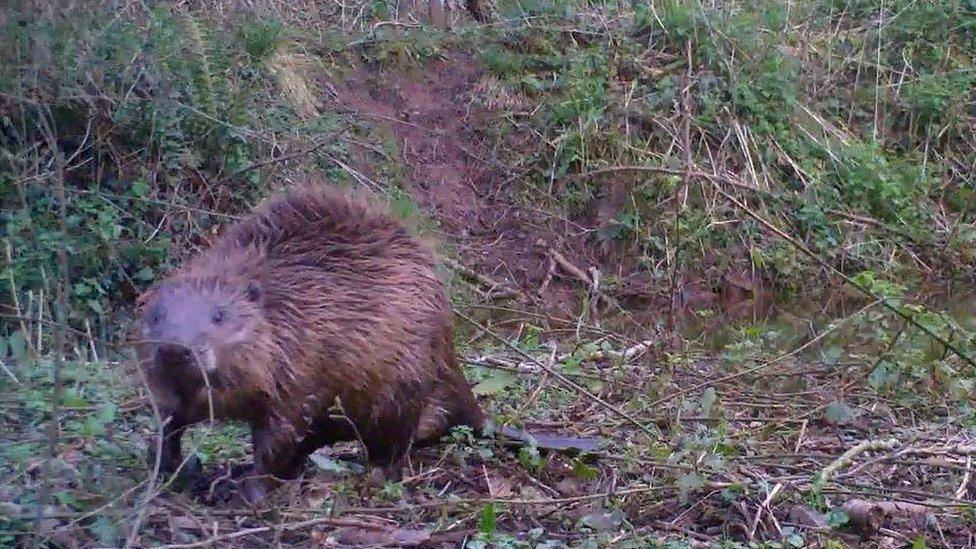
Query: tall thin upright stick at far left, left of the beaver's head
x,y
61,308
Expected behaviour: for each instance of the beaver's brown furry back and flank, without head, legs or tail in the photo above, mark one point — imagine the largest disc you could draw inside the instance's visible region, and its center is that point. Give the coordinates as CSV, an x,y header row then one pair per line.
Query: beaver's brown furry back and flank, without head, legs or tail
x,y
352,297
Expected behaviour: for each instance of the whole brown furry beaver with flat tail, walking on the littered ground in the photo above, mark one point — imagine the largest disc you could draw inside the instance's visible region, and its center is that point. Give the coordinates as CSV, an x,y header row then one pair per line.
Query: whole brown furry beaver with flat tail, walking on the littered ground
x,y
318,300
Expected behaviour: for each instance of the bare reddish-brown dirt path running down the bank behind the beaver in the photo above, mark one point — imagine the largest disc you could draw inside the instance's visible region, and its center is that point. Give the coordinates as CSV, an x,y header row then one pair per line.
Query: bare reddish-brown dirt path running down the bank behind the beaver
x,y
451,172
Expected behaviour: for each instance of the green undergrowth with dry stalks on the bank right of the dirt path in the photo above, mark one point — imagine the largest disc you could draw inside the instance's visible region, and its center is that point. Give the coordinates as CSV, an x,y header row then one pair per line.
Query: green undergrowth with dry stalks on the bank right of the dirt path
x,y
846,120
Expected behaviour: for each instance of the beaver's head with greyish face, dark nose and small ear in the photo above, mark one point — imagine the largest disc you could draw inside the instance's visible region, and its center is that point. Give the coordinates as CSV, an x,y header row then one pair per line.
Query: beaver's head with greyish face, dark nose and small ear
x,y
191,327
